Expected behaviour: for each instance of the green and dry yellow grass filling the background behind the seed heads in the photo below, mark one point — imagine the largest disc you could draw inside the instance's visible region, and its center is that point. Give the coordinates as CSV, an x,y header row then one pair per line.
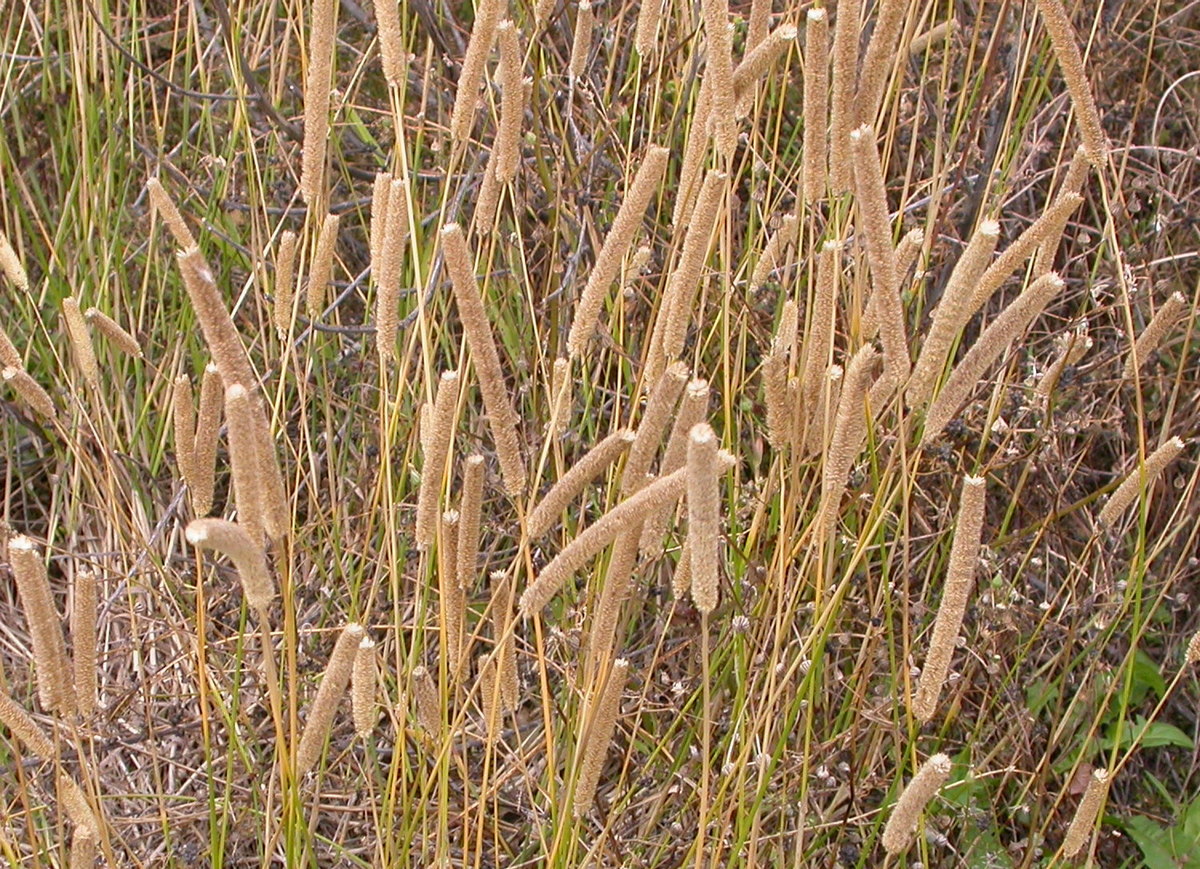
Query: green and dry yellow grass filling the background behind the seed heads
x,y
772,732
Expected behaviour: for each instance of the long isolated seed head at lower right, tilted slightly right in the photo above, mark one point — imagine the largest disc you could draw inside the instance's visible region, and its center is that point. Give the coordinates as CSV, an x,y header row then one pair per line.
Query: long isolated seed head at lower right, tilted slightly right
x,y
959,580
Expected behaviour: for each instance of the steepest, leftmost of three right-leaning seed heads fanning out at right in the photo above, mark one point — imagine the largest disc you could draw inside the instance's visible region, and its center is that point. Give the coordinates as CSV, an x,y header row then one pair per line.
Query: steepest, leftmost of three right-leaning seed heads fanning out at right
x,y
949,317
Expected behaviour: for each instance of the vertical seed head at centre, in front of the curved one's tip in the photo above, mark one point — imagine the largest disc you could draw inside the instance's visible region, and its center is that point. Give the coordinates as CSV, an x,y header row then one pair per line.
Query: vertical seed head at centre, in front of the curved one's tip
x,y
704,517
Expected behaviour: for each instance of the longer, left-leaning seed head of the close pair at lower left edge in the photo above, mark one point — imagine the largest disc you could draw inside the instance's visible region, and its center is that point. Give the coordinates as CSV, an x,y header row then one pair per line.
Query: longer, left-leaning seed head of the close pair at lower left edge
x,y
56,688
